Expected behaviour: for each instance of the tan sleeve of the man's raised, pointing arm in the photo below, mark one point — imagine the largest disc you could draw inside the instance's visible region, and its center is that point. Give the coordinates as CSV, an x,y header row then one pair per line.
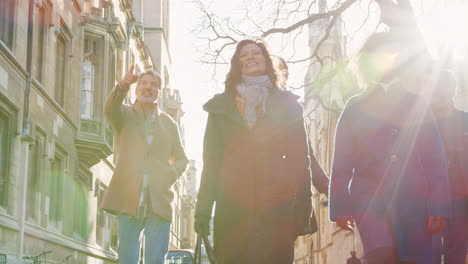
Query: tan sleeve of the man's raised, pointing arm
x,y
113,106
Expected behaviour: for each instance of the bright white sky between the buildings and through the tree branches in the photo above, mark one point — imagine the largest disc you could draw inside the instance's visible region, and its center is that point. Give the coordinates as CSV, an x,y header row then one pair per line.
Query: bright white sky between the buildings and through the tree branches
x,y
194,80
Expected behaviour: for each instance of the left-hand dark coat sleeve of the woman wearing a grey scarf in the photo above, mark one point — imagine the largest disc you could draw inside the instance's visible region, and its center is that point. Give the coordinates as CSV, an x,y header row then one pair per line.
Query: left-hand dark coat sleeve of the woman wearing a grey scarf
x,y
212,155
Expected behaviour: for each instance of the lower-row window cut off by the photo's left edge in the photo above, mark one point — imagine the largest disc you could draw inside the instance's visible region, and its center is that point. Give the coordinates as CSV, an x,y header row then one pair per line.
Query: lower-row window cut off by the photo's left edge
x,y
7,130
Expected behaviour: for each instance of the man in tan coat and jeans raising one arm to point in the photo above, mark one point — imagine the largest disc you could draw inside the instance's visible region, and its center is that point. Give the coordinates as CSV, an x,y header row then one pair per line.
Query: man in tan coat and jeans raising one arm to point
x,y
149,160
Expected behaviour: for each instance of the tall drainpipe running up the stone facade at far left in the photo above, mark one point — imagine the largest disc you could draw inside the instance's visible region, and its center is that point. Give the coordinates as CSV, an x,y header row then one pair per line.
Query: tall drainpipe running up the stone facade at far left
x,y
26,131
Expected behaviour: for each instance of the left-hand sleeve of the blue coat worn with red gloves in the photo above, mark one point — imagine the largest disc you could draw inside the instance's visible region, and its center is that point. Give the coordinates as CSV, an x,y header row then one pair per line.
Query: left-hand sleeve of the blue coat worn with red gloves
x,y
342,169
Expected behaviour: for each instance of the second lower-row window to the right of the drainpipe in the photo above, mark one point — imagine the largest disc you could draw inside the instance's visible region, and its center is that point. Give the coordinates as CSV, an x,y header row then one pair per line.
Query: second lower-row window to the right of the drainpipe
x,y
54,202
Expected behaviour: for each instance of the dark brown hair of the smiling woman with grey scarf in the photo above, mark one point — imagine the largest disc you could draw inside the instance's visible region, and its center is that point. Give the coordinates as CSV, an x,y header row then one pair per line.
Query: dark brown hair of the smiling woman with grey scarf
x,y
234,76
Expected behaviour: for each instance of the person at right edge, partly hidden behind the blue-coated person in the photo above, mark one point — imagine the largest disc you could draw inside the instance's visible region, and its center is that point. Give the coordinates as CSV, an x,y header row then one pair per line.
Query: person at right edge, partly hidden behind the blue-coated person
x,y
453,124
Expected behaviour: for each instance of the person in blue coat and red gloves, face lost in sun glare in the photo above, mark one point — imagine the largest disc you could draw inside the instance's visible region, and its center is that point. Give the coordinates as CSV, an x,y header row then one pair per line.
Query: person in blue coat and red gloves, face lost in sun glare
x,y
389,174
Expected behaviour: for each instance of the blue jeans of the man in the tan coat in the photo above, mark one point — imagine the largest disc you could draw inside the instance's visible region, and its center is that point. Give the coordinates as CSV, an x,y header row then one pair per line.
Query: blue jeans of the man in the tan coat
x,y
156,230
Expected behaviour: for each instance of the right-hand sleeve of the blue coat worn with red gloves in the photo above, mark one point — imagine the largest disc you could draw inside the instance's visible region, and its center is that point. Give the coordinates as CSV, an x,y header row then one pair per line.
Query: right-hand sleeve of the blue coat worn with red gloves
x,y
433,159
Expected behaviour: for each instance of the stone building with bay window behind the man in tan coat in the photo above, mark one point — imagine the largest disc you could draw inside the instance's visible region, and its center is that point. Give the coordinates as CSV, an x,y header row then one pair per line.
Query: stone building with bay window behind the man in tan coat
x,y
55,144
